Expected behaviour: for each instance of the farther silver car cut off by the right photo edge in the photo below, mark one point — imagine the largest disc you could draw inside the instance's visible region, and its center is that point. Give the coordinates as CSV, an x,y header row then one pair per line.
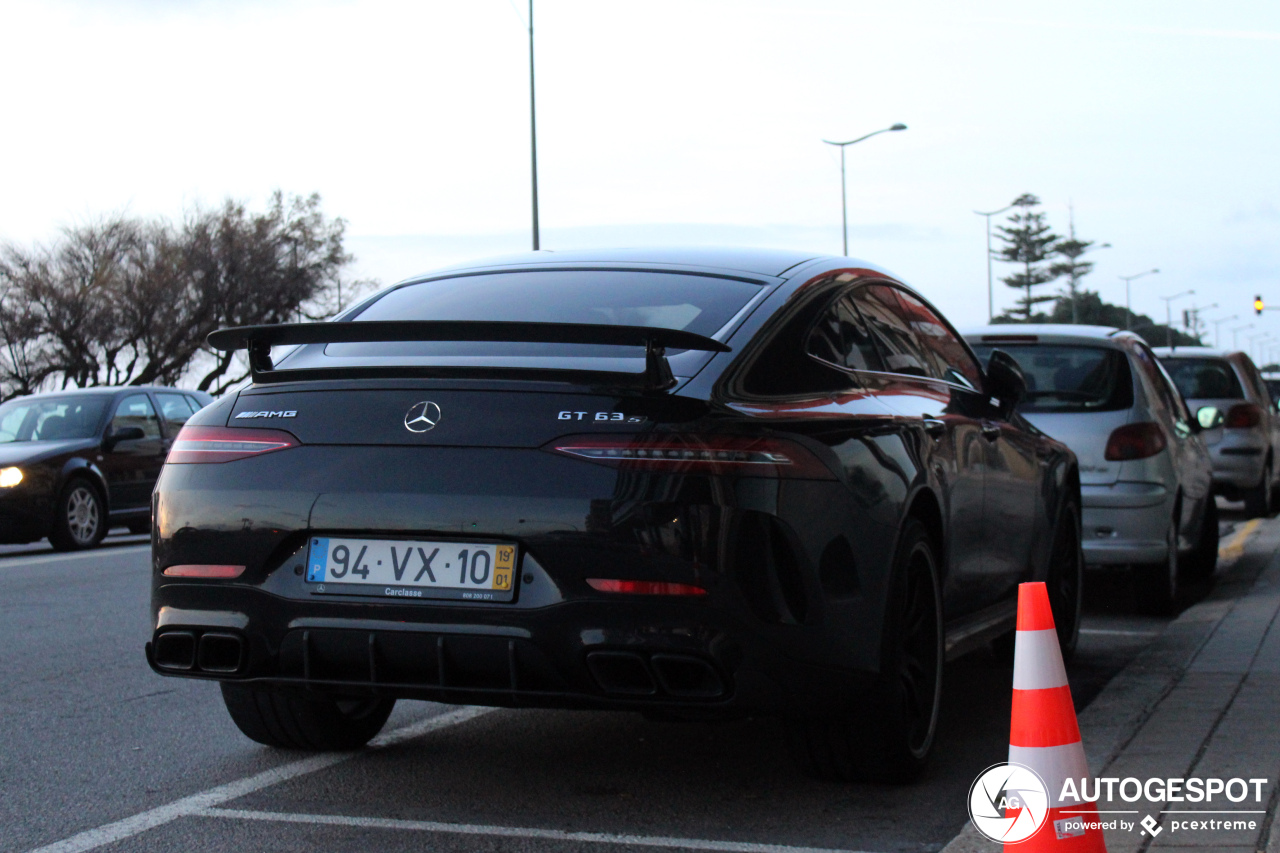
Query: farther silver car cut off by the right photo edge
x,y
1245,451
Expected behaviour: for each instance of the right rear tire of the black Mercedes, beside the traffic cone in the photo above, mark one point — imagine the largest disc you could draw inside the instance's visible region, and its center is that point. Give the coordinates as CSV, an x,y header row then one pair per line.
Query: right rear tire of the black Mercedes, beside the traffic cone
x,y
890,737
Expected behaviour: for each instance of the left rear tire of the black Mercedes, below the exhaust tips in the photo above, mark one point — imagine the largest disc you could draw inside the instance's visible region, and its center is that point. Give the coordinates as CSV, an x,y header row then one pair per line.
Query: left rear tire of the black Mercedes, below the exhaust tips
x,y
298,722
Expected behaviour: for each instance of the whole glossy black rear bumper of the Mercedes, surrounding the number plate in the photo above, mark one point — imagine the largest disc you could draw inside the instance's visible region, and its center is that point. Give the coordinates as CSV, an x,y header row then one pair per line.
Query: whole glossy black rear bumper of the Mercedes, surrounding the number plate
x,y
790,623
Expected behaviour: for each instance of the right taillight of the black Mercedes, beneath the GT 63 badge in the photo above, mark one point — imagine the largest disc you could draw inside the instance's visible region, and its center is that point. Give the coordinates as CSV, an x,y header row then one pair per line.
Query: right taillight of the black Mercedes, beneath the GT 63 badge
x,y
737,455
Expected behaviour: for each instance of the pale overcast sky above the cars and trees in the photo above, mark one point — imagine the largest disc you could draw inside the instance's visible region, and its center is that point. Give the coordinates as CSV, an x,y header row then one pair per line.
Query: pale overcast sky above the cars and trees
x,y
688,122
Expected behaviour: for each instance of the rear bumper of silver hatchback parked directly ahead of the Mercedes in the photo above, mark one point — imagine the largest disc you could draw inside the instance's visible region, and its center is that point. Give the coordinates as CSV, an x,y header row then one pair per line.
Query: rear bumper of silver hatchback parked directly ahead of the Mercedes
x,y
1126,523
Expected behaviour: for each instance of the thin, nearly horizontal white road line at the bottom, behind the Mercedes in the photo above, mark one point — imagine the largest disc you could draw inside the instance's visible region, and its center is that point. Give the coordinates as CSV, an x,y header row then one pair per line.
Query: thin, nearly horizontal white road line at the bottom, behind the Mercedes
x,y
516,832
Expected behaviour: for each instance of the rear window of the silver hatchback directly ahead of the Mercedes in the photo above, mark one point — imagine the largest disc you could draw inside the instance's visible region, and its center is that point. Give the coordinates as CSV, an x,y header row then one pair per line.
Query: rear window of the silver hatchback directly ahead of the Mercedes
x,y
1069,378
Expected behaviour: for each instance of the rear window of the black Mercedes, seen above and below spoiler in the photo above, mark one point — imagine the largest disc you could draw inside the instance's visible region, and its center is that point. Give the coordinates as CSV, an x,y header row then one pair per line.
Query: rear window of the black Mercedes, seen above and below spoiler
x,y
698,304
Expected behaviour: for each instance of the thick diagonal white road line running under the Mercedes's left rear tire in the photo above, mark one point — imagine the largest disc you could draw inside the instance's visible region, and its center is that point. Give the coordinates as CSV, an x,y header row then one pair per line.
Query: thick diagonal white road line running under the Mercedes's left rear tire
x,y
198,804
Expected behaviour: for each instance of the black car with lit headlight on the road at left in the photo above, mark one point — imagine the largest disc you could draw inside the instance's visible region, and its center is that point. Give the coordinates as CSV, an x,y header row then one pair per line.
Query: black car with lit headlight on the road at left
x,y
75,464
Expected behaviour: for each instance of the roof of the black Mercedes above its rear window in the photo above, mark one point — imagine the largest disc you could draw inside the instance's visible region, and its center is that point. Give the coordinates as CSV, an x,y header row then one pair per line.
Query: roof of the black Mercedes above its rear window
x,y
761,262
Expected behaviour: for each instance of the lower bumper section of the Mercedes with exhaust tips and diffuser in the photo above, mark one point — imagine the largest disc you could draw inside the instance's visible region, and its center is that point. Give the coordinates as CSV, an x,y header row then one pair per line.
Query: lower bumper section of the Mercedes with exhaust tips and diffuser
x,y
611,655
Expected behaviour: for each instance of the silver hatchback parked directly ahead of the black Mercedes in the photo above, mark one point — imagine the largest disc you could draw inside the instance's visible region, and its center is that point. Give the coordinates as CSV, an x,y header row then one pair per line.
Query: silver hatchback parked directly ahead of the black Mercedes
x,y
1146,480
